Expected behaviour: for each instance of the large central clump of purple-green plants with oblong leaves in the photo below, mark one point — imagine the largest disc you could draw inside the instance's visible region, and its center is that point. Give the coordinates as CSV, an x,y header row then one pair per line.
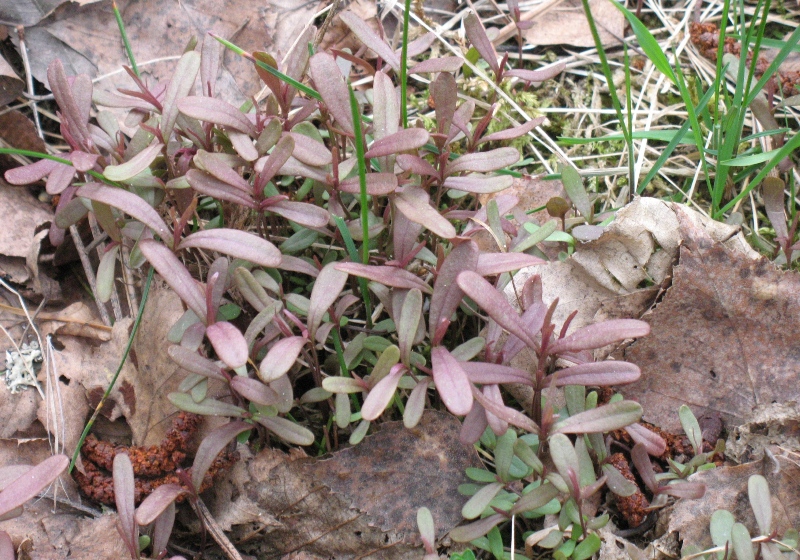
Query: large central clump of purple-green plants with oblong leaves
x,y
320,168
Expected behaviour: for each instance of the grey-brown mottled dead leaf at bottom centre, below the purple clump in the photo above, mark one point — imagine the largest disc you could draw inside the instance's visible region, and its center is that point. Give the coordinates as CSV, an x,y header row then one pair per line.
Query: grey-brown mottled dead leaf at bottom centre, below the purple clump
x,y
393,473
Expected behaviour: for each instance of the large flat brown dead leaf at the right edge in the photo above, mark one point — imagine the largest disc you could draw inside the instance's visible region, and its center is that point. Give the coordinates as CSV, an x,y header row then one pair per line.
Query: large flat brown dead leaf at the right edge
x,y
723,339
